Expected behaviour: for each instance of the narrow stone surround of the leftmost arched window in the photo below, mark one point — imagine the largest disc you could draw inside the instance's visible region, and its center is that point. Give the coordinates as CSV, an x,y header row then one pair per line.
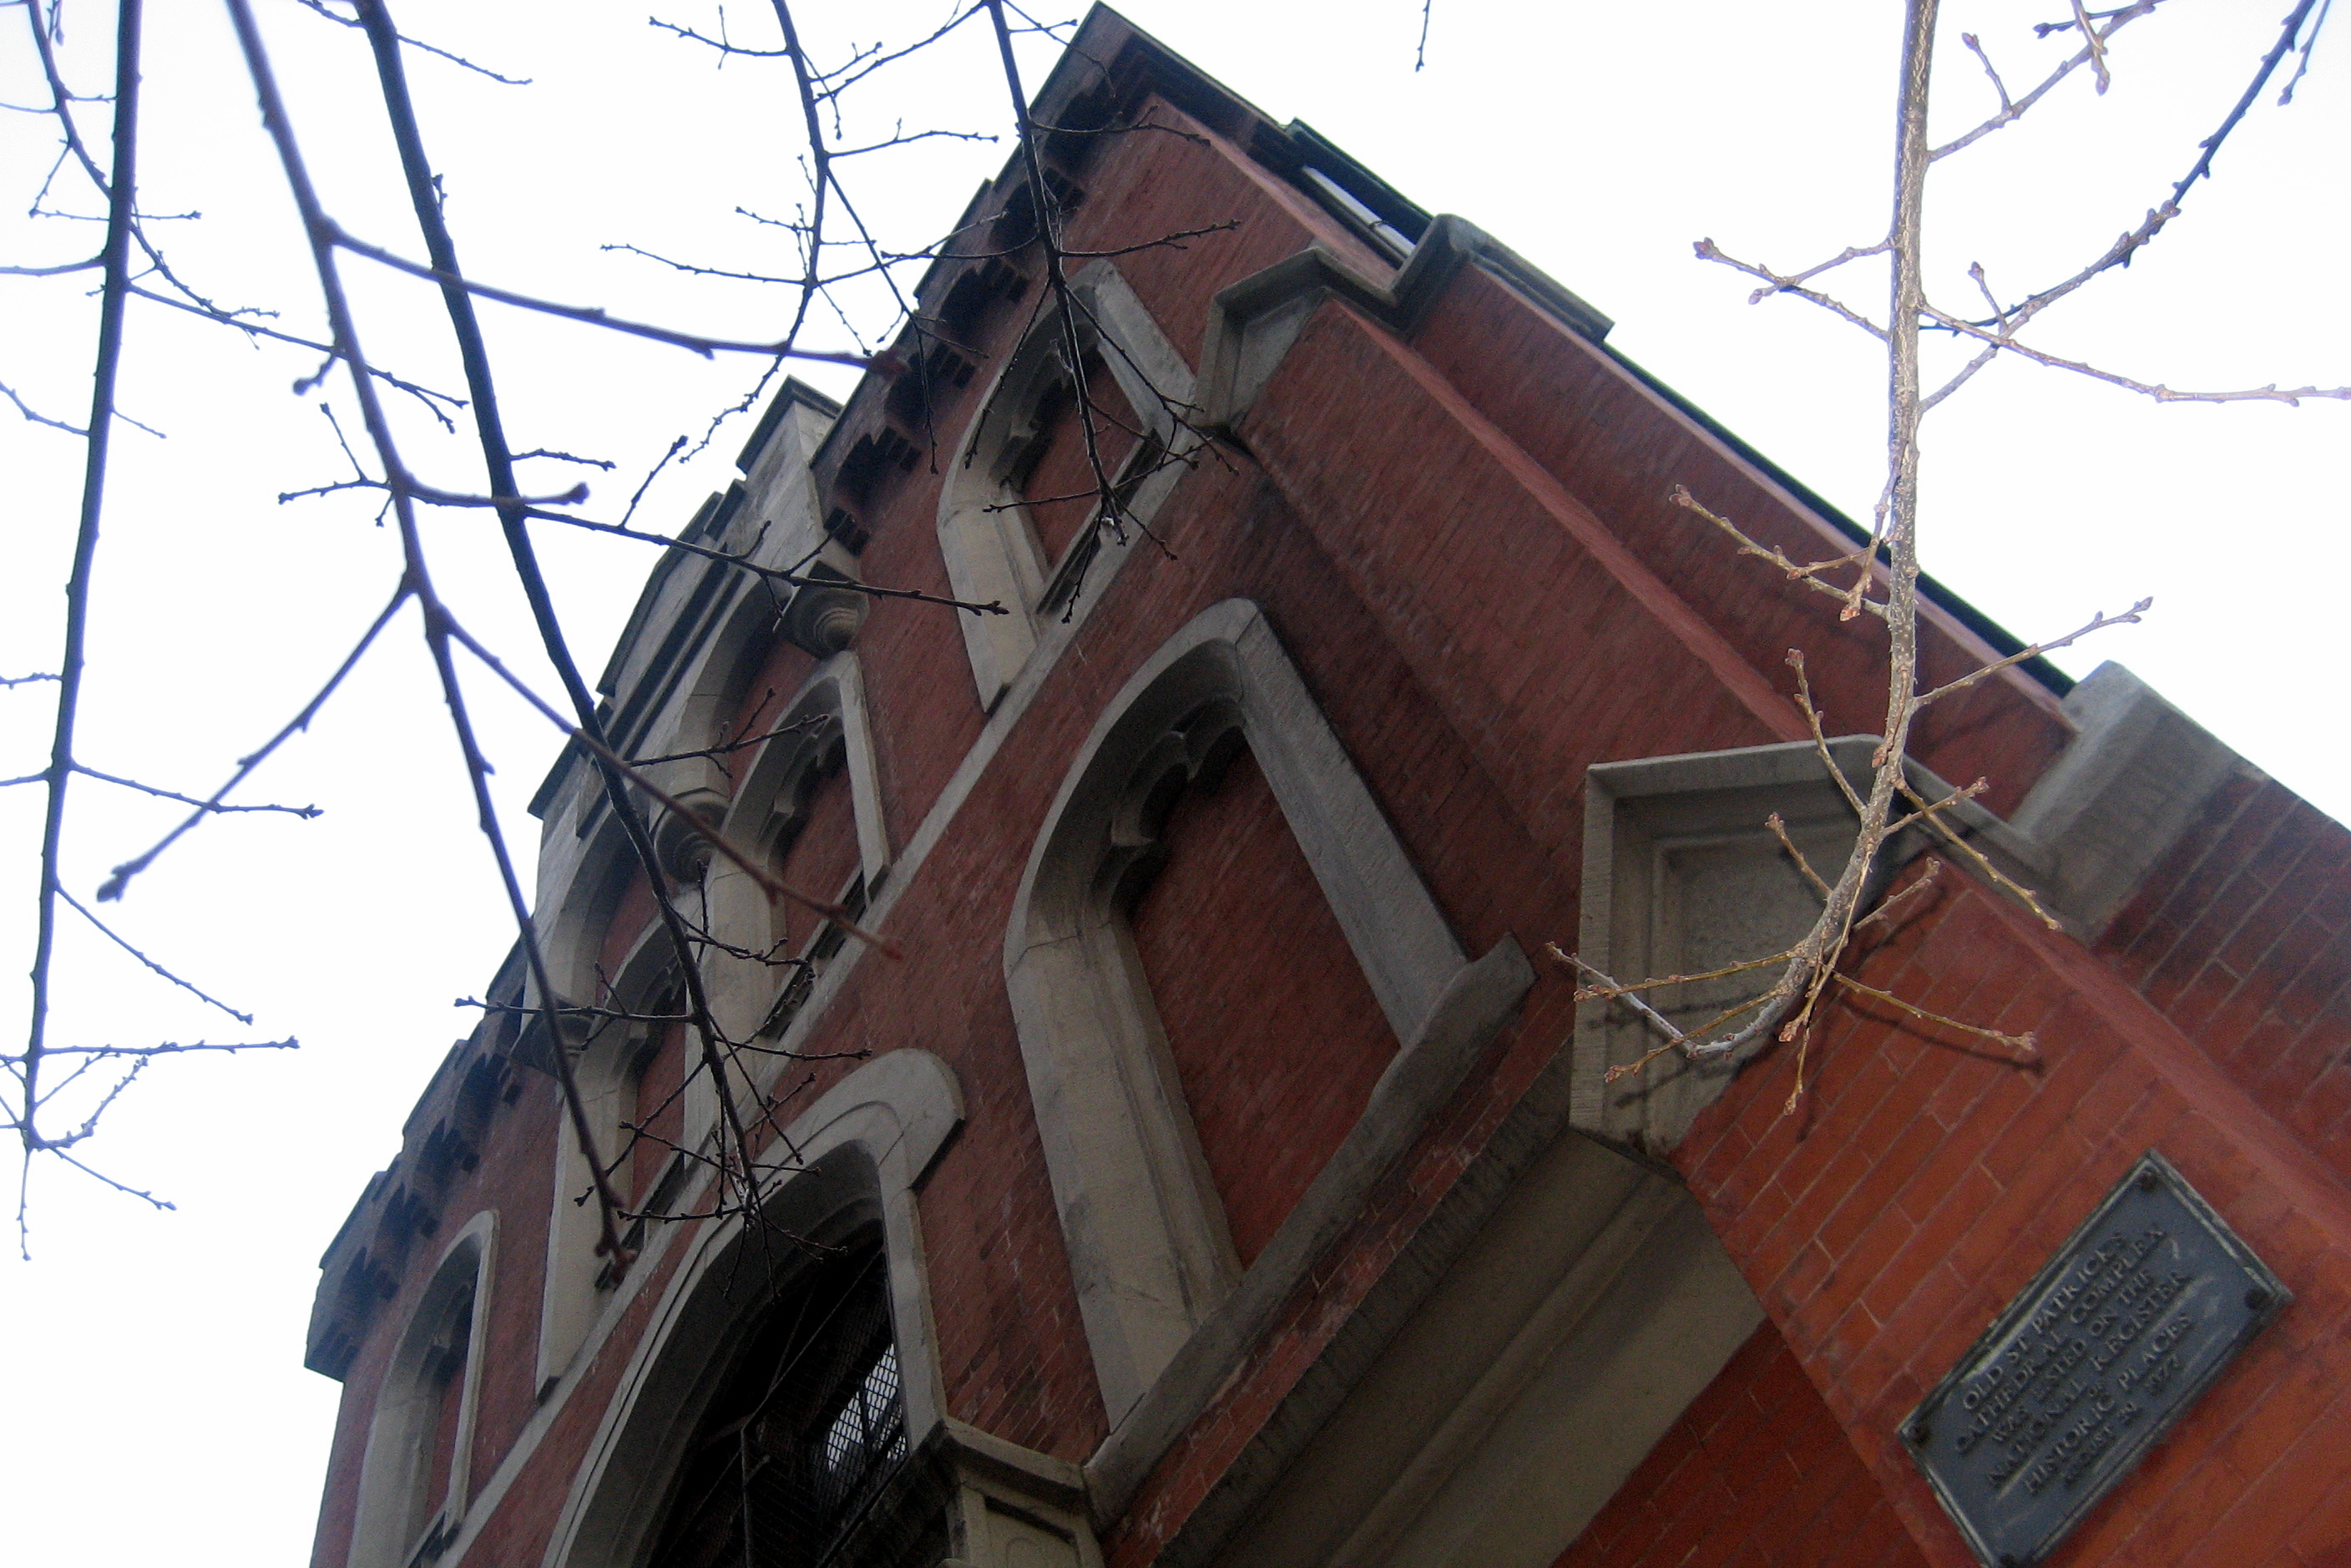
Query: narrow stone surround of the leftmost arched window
x,y
403,1428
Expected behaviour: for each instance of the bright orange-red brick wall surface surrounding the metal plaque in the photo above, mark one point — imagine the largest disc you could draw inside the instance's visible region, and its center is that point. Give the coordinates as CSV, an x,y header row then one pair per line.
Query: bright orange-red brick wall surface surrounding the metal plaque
x,y
1927,1177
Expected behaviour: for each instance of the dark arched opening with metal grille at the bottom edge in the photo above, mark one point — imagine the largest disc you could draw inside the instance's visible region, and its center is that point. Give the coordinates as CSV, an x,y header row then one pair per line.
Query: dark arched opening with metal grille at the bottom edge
x,y
793,1463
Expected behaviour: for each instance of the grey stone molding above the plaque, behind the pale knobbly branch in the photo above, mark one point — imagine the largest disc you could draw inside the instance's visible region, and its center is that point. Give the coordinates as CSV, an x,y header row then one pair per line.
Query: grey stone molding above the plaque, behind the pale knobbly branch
x,y
1682,873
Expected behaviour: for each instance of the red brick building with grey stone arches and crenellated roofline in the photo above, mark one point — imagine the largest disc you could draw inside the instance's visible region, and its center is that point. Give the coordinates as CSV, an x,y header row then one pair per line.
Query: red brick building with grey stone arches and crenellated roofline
x,y
1221,1177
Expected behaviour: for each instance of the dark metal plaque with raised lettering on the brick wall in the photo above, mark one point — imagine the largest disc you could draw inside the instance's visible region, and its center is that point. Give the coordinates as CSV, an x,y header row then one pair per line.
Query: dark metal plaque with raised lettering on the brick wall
x,y
2112,1341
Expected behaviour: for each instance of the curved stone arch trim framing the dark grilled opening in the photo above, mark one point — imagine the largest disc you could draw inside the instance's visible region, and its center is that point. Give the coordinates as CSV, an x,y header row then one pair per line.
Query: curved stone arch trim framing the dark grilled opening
x,y
859,1155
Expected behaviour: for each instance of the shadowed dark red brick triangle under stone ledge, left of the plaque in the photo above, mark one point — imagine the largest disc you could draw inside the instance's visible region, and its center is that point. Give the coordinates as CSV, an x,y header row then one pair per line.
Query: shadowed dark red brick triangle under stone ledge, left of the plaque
x,y
1755,1475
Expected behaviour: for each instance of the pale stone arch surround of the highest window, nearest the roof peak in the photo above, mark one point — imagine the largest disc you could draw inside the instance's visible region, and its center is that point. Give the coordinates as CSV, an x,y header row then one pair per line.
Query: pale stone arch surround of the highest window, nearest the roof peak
x,y
982,530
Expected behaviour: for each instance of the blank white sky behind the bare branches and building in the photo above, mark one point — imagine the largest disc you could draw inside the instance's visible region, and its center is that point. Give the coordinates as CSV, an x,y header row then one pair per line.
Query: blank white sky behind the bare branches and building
x,y
156,1405
